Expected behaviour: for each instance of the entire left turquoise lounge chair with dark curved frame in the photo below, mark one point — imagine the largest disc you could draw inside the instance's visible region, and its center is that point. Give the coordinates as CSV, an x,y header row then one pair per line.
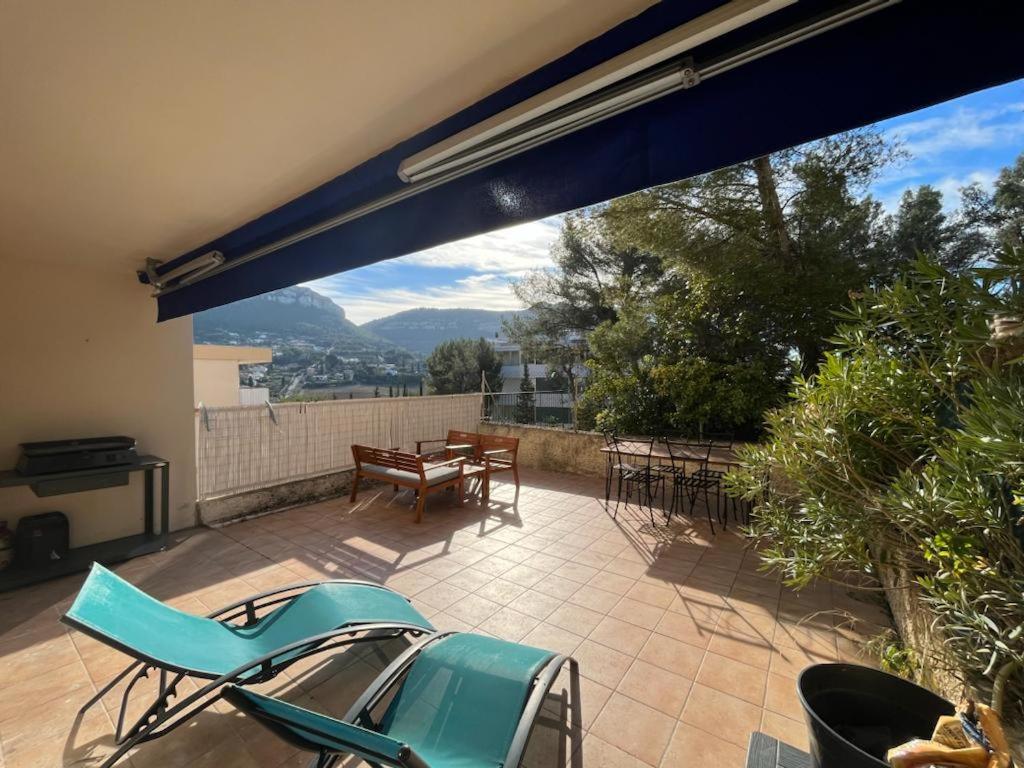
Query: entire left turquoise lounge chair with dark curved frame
x,y
242,644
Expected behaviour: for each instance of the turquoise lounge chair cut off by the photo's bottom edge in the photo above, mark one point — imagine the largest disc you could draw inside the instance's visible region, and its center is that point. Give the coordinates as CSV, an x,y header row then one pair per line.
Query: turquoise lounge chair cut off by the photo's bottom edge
x,y
463,701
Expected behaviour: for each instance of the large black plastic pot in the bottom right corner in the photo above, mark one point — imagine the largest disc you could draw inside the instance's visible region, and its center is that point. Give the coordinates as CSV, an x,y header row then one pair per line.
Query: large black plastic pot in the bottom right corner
x,y
857,714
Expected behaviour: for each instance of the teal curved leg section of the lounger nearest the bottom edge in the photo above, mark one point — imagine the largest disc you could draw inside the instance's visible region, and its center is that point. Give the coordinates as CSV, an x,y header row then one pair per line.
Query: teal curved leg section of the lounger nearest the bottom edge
x,y
462,701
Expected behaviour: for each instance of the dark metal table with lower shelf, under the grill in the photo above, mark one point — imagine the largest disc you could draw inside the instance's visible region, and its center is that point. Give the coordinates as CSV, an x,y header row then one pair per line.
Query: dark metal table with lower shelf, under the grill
x,y
115,550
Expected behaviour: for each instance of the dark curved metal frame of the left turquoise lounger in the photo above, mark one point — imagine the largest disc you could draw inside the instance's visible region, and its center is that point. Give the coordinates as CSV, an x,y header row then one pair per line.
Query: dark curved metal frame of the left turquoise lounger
x,y
161,717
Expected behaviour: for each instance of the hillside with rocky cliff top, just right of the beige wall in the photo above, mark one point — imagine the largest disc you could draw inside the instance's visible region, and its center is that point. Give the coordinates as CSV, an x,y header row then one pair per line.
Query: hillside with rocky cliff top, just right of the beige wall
x,y
290,316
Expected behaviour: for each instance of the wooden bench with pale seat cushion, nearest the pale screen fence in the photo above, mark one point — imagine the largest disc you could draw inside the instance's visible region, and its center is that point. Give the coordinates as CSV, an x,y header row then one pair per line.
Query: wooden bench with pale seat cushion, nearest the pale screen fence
x,y
409,472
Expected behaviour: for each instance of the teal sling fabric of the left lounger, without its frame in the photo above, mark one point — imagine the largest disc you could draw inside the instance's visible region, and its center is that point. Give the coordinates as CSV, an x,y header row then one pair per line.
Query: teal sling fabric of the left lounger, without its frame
x,y
113,609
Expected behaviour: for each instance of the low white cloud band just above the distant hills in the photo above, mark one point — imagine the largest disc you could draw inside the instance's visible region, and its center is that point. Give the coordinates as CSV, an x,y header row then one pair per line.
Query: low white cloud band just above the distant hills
x,y
478,291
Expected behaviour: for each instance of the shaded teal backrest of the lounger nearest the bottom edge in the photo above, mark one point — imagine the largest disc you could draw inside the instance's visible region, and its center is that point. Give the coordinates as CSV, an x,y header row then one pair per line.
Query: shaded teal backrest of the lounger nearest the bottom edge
x,y
306,727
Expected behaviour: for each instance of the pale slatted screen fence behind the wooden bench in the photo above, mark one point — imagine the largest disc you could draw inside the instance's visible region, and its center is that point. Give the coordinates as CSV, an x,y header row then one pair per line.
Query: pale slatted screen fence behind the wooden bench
x,y
246,448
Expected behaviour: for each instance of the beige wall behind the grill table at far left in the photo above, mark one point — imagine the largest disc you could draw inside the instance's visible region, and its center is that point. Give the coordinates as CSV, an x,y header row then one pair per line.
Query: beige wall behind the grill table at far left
x,y
83,356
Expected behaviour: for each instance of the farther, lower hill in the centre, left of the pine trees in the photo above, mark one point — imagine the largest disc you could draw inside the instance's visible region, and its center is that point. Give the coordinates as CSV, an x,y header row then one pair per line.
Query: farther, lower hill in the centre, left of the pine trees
x,y
421,330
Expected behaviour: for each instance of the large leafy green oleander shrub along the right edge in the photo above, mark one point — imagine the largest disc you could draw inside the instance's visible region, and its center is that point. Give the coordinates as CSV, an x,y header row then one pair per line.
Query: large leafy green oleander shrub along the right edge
x,y
907,449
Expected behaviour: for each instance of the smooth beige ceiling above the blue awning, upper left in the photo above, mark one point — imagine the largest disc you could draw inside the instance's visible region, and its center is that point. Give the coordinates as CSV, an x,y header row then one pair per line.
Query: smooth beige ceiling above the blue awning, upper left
x,y
134,130
